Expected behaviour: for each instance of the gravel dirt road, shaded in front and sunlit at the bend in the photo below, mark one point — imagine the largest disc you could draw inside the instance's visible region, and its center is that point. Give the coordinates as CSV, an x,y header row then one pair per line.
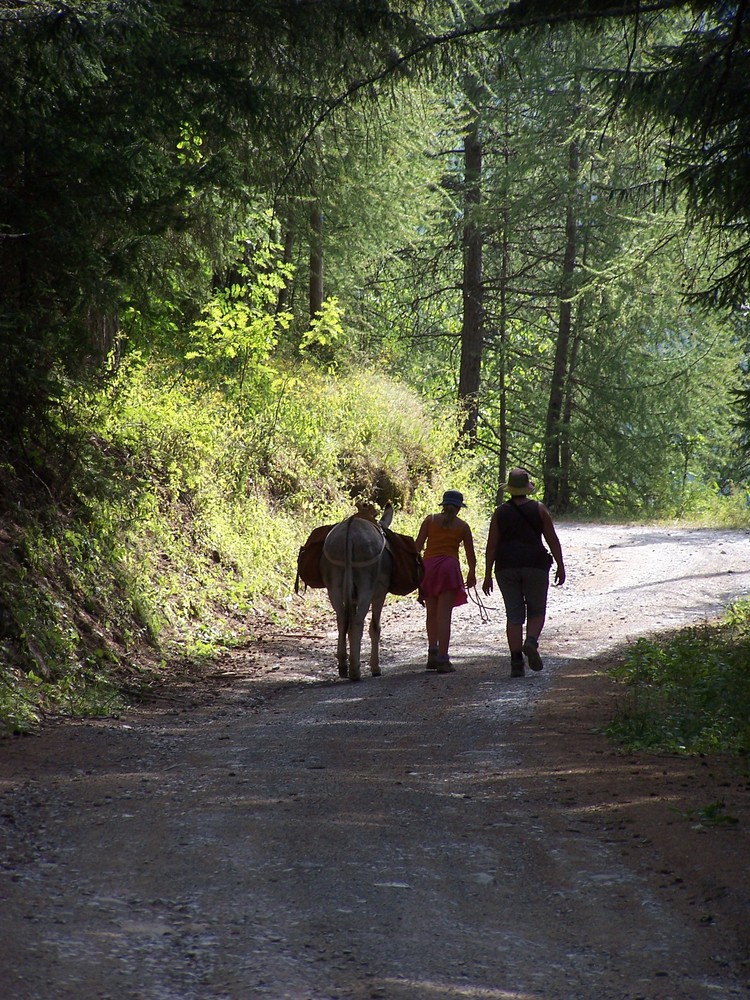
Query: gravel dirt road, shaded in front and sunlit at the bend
x,y
276,832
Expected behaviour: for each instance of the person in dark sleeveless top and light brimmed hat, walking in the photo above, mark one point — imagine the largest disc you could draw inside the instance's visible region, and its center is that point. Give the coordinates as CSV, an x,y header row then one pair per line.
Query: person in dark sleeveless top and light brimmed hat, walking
x,y
522,565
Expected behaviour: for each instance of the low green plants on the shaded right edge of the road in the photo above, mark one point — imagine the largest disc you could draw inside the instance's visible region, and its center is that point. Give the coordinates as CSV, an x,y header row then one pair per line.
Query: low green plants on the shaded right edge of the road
x,y
688,694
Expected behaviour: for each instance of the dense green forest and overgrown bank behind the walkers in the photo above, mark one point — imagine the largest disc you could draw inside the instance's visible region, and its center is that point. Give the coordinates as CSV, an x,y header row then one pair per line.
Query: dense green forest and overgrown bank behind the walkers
x,y
261,260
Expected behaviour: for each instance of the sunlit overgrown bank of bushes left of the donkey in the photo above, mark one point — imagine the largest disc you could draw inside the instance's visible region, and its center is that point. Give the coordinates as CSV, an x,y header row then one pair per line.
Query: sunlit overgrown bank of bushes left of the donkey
x,y
182,517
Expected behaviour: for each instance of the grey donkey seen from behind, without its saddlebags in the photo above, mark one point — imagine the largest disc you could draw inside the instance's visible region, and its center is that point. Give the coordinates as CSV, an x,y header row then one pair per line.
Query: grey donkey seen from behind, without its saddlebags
x,y
356,566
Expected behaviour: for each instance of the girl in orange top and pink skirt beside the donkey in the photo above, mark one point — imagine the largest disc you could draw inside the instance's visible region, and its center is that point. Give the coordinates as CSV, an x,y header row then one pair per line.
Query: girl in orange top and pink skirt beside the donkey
x,y
443,586
